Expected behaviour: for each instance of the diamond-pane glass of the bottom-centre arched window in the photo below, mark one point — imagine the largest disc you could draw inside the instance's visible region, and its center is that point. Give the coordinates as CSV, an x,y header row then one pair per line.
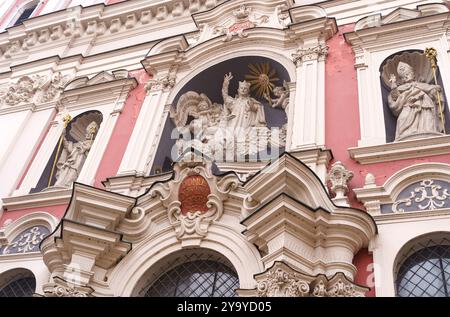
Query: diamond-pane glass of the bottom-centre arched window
x,y
200,278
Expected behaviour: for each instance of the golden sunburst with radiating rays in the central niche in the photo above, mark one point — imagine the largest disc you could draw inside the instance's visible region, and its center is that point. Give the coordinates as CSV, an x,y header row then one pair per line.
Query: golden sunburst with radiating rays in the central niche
x,y
262,78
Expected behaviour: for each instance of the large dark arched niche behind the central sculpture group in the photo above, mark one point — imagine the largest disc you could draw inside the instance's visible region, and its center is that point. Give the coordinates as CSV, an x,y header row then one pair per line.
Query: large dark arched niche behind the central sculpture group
x,y
209,83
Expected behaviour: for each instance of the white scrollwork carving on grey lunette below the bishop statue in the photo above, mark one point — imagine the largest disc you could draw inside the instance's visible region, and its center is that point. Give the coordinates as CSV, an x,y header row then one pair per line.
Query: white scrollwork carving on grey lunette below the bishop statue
x,y
427,196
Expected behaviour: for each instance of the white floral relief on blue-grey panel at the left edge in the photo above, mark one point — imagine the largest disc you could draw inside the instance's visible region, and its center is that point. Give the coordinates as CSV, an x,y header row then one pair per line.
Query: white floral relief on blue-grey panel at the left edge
x,y
27,241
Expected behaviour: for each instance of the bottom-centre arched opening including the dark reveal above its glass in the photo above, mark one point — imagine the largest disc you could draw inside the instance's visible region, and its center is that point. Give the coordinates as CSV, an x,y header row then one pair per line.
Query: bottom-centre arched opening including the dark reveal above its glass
x,y
210,269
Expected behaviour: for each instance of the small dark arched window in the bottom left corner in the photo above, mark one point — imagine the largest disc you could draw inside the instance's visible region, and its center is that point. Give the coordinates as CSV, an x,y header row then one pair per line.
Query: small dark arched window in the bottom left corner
x,y
17,283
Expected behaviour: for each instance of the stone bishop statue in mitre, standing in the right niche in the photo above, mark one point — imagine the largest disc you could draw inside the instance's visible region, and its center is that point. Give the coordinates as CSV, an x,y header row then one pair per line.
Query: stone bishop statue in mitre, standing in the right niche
x,y
415,105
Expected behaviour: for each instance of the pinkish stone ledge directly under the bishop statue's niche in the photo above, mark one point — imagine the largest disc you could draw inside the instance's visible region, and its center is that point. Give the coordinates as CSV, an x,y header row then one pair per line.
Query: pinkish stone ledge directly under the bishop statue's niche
x,y
401,150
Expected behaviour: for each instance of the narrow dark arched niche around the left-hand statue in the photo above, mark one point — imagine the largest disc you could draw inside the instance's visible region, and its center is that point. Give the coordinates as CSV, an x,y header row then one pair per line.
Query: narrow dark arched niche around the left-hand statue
x,y
75,133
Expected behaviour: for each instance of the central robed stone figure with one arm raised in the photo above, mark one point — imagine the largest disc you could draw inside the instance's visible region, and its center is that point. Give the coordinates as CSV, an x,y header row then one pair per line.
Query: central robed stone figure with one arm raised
x,y
245,111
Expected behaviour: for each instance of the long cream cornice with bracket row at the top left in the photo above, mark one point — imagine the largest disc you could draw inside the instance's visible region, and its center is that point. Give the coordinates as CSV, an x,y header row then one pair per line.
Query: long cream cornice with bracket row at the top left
x,y
127,20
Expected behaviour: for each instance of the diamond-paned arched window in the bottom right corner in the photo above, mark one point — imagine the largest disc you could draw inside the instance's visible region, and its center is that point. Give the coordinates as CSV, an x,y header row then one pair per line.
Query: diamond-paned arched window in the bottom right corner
x,y
425,270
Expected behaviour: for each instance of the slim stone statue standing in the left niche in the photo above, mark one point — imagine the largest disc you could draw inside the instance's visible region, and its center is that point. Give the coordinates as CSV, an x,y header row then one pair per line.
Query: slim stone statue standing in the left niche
x,y
73,157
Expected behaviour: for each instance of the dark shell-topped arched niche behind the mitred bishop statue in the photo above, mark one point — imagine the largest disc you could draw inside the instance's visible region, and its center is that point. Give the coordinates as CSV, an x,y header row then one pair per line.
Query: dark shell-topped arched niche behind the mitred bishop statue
x,y
422,67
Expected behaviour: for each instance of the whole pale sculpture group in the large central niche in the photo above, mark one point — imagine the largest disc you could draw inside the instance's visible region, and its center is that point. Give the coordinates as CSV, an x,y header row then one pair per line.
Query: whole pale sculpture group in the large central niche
x,y
237,128
